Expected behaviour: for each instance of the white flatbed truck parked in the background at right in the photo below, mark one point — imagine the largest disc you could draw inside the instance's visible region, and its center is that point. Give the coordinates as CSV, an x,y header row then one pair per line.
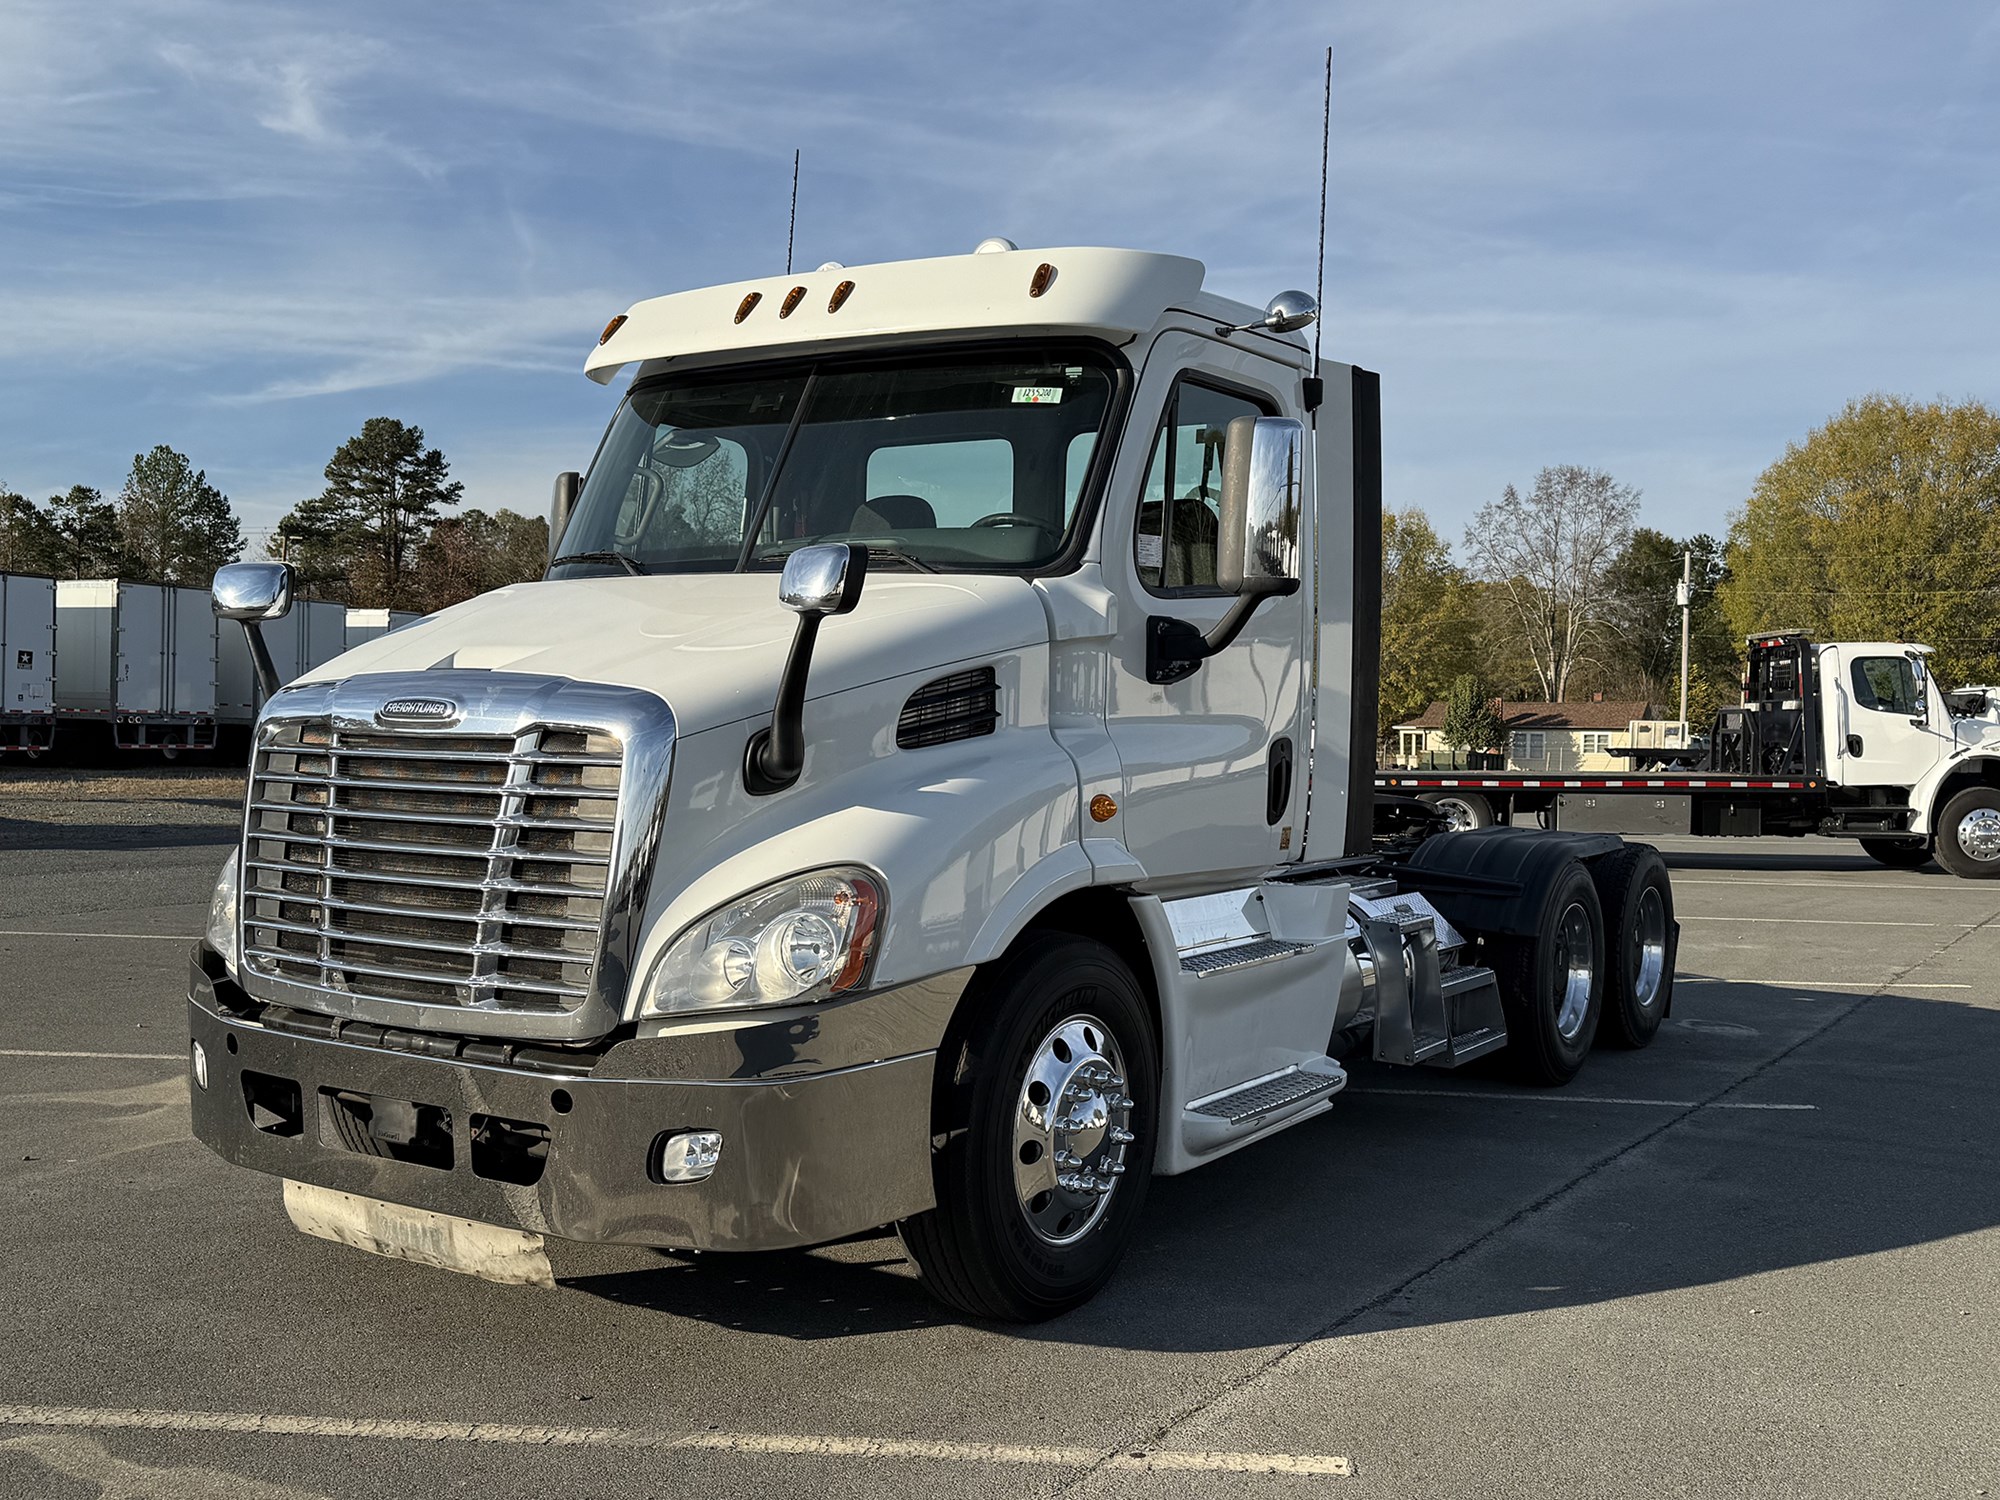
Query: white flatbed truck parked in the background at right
x,y
1839,739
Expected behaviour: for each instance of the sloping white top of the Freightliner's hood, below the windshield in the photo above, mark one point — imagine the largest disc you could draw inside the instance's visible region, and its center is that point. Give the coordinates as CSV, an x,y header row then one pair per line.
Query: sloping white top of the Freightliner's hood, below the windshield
x,y
711,645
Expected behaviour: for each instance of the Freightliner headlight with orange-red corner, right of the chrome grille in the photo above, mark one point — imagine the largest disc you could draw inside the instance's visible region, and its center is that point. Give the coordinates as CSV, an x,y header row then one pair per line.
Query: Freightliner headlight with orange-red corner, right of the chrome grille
x,y
797,941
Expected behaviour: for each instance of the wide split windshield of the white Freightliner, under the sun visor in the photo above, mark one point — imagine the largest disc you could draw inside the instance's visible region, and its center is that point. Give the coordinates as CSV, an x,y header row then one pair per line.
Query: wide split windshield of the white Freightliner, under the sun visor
x,y
939,463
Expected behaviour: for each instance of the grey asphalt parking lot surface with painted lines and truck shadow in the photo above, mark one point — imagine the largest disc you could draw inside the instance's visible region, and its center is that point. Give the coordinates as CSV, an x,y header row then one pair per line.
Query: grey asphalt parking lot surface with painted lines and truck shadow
x,y
1761,1259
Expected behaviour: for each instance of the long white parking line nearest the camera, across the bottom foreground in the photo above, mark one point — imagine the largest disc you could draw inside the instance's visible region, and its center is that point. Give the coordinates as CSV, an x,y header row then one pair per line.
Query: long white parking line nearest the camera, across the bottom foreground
x,y
737,1443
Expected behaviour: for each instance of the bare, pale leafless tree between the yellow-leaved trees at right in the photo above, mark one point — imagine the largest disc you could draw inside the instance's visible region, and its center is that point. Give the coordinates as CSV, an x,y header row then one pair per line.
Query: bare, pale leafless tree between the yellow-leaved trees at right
x,y
1549,553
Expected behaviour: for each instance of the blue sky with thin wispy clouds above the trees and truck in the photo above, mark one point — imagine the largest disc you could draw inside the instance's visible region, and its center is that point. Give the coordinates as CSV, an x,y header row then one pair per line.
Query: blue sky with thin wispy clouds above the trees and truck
x,y
1661,239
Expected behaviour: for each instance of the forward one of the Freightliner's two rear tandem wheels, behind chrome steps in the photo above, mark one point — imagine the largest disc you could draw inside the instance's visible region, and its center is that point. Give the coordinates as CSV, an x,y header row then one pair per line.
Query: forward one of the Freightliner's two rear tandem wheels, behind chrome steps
x,y
1553,985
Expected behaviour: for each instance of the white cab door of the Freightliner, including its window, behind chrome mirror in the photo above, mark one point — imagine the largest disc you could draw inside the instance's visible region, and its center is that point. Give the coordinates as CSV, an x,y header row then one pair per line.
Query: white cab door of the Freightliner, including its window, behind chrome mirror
x,y
1213,765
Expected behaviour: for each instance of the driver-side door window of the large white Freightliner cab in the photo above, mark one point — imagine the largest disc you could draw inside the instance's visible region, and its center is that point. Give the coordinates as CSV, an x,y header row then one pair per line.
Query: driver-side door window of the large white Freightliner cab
x,y
1179,525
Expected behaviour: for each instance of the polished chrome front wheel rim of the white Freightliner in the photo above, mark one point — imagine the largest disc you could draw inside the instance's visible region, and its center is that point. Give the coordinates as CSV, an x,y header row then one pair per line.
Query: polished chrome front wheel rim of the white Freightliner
x,y
1073,1127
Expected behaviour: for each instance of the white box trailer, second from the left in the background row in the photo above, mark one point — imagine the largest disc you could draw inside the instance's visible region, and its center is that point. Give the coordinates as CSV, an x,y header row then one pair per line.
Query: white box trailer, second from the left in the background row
x,y
139,659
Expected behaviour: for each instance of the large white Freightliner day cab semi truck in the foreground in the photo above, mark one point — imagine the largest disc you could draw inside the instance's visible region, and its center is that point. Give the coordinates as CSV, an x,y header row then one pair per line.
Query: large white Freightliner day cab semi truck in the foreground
x,y
933,789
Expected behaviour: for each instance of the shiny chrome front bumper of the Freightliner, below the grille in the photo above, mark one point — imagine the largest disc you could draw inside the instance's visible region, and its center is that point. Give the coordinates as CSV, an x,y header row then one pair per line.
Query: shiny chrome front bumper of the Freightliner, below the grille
x,y
807,1155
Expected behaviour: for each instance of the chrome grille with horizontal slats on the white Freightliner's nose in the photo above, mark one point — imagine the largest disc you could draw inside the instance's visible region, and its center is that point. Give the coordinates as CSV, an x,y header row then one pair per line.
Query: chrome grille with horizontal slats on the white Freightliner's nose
x,y
431,869
